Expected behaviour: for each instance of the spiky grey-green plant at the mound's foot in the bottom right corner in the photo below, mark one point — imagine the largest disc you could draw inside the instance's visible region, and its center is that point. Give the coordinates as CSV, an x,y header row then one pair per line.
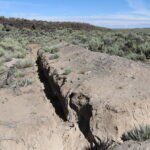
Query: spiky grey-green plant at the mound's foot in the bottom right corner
x,y
141,133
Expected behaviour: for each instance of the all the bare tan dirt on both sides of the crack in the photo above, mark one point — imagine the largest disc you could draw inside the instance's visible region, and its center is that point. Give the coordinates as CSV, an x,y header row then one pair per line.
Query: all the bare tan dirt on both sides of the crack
x,y
80,98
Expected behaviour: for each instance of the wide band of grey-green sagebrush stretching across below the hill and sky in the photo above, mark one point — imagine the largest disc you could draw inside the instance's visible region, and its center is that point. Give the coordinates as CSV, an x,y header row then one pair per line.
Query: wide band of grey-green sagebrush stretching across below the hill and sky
x,y
132,44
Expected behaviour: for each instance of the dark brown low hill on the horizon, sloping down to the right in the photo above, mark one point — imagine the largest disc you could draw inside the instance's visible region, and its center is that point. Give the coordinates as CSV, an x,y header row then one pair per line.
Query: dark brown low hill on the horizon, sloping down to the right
x,y
45,25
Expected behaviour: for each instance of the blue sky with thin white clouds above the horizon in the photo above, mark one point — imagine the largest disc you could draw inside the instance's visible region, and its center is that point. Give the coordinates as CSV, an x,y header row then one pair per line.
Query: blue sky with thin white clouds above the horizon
x,y
105,13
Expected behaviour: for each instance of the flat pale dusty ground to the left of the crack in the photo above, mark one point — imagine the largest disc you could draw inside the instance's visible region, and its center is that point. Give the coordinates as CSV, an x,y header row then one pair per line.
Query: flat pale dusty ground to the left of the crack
x,y
28,120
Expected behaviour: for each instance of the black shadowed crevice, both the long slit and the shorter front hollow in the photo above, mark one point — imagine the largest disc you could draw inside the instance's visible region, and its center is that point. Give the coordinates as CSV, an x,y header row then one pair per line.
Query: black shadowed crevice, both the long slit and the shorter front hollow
x,y
52,92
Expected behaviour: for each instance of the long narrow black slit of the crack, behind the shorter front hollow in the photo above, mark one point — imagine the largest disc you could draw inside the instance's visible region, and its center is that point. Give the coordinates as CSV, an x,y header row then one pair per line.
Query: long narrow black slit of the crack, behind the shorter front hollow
x,y
50,94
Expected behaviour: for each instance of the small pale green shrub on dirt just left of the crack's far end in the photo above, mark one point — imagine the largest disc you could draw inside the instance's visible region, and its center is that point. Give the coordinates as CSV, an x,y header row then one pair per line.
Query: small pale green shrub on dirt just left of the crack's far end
x,y
25,63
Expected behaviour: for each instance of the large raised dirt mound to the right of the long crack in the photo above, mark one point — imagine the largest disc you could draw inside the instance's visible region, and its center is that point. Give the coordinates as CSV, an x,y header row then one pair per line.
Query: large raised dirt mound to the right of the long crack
x,y
105,95
